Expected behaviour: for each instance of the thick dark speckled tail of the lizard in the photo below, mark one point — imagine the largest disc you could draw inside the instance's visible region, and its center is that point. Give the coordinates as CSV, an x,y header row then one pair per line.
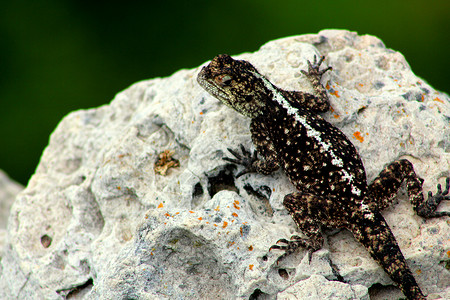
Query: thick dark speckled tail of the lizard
x,y
374,233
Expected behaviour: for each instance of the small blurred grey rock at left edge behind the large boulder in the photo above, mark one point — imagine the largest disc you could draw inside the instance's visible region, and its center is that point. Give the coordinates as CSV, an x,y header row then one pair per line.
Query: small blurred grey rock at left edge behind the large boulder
x,y
8,192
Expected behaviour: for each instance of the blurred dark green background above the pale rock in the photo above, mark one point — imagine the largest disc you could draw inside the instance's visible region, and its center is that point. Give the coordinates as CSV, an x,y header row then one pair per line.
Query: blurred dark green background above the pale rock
x,y
57,56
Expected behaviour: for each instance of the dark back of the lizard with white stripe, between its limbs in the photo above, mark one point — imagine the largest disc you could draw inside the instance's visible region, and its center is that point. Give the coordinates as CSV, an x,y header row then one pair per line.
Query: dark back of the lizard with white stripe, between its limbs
x,y
314,154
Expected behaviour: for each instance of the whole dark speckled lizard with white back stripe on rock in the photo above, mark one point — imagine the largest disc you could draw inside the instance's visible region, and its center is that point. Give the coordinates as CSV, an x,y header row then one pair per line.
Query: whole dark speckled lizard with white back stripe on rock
x,y
321,163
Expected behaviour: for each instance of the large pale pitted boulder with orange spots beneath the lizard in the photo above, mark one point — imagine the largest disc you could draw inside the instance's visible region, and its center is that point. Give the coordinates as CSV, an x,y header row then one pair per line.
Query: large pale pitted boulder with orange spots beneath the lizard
x,y
97,222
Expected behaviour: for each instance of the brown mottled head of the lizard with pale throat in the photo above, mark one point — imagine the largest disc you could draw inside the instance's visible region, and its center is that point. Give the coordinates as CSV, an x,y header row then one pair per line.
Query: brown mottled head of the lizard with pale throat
x,y
236,83
